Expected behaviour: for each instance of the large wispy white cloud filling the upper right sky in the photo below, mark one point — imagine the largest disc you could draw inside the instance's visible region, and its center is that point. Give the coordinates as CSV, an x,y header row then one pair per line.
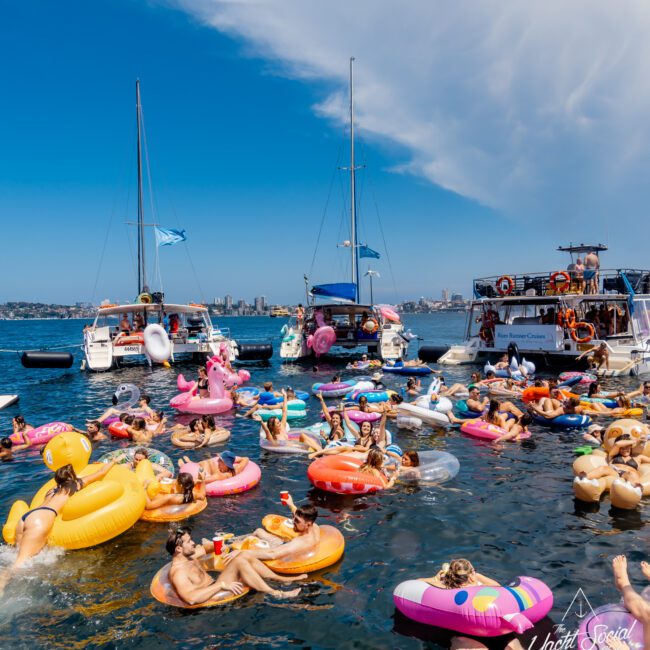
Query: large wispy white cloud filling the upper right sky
x,y
526,107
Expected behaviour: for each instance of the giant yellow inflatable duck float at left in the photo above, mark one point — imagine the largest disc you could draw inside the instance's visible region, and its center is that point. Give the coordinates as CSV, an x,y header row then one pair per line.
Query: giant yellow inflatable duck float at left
x,y
97,513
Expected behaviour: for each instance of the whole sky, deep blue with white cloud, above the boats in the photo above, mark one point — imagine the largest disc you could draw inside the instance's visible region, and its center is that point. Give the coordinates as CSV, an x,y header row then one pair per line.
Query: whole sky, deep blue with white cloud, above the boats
x,y
480,159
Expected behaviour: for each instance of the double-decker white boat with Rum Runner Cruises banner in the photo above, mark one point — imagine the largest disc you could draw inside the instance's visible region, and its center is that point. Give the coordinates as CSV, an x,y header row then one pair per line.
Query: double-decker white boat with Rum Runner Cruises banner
x,y
552,318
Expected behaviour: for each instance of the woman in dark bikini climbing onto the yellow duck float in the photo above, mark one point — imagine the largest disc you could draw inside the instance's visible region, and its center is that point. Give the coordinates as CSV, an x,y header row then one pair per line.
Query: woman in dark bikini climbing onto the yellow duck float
x,y
35,525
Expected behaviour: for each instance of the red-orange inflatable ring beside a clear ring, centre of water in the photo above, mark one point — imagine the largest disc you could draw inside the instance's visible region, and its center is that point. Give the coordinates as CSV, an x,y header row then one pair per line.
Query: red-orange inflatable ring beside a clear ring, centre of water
x,y
340,474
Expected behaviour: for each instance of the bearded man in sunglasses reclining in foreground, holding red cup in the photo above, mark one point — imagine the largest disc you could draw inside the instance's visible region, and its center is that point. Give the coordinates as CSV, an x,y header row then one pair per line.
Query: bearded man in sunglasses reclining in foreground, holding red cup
x,y
194,585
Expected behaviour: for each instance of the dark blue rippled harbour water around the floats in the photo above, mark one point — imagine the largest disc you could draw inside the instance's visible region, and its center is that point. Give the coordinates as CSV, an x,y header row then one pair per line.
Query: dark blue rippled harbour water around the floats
x,y
510,511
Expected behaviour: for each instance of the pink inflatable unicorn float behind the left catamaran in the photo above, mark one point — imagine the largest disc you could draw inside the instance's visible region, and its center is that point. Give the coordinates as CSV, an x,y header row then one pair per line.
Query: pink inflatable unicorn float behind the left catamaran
x,y
220,381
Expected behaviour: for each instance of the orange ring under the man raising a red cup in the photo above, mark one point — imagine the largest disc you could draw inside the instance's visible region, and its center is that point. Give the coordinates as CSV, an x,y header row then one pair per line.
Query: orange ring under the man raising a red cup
x,y
329,551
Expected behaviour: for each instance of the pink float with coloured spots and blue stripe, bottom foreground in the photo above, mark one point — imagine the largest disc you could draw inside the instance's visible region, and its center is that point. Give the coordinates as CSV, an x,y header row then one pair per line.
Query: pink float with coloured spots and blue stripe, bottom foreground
x,y
479,611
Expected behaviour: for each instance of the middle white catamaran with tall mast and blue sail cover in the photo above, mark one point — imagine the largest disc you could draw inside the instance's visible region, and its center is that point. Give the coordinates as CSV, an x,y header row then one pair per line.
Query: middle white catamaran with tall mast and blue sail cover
x,y
341,320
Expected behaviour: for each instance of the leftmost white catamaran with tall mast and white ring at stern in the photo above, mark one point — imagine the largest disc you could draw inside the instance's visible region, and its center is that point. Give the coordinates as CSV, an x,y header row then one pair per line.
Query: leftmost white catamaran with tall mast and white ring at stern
x,y
117,333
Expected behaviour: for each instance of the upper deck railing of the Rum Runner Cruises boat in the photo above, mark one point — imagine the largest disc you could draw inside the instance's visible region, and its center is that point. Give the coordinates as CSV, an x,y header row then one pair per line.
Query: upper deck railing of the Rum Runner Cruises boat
x,y
553,283
